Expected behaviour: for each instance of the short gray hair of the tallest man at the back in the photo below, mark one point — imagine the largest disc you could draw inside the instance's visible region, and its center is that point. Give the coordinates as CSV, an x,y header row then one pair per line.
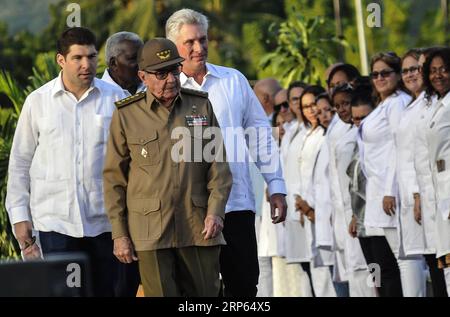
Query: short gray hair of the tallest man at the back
x,y
182,17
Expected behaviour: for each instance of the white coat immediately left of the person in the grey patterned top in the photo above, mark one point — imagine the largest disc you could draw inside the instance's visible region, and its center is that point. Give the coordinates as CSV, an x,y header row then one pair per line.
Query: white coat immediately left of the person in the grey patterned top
x,y
340,158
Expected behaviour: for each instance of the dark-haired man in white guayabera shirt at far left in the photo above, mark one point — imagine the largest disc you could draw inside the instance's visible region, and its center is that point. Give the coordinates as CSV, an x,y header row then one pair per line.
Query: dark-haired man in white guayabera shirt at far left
x,y
55,170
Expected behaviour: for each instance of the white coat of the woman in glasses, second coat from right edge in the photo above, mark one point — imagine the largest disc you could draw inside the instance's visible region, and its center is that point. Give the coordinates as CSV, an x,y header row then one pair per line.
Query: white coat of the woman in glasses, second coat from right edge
x,y
412,233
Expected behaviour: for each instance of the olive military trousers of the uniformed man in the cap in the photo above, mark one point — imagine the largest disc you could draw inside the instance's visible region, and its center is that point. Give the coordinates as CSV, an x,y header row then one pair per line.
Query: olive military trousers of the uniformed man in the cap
x,y
188,272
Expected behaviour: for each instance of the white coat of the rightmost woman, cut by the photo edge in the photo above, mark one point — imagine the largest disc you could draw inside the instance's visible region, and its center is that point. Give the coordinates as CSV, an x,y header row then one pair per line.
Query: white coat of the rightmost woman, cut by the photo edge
x,y
438,136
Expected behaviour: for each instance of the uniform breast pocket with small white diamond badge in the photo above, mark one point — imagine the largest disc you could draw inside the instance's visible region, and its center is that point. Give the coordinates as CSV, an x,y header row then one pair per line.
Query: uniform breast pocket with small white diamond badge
x,y
145,149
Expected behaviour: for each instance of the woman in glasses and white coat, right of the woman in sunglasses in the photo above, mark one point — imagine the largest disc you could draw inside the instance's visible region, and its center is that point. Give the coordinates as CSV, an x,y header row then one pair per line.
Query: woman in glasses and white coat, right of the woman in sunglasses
x,y
414,175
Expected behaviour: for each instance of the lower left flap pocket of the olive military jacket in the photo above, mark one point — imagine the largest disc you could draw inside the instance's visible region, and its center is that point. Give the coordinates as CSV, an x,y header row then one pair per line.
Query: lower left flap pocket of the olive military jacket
x,y
144,218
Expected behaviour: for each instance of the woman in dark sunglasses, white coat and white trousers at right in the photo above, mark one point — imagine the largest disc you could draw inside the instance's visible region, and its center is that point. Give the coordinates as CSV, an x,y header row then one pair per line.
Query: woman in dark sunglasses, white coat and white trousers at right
x,y
378,159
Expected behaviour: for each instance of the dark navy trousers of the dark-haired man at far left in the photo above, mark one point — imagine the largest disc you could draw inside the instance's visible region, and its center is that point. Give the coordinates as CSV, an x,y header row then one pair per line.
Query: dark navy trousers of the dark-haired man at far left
x,y
99,249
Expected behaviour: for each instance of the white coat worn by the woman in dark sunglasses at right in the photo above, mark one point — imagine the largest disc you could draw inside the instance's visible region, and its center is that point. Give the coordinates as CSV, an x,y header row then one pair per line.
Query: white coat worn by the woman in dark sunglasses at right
x,y
378,160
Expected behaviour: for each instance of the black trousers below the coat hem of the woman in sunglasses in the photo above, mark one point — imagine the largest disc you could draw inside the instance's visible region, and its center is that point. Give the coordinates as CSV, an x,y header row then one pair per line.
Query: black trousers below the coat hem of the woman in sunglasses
x,y
377,250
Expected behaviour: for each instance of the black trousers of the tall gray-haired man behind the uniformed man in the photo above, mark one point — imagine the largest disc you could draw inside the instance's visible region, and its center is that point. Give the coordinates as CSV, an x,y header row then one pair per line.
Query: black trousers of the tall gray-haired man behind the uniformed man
x,y
239,258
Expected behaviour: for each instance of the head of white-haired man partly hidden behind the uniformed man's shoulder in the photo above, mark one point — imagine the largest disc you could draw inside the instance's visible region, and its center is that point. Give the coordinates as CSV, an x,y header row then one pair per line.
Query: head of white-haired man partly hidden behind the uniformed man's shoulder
x,y
121,58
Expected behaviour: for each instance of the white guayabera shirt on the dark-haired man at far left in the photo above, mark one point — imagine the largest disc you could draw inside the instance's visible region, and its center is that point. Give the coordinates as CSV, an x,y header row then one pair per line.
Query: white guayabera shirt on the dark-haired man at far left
x,y
56,162
